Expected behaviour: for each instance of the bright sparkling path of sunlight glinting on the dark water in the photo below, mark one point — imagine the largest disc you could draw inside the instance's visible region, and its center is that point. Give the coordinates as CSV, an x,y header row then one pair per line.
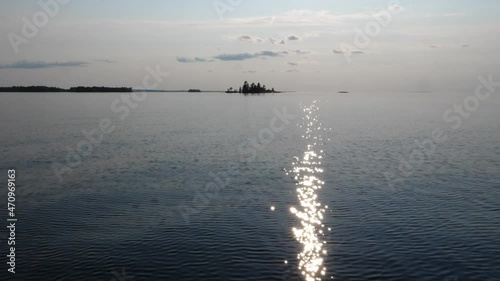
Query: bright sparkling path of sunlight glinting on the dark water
x,y
310,213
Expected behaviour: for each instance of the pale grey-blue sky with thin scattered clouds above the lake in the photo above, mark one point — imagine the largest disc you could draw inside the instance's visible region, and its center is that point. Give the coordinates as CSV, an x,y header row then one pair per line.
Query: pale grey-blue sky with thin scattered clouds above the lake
x,y
301,45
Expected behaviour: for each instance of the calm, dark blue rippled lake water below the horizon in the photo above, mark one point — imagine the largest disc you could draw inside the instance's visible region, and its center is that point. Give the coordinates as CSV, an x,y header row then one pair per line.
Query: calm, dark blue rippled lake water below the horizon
x,y
211,186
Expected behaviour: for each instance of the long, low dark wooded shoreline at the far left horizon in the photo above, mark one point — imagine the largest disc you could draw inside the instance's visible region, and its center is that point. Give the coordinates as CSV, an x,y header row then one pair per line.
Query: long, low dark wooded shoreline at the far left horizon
x,y
79,89
